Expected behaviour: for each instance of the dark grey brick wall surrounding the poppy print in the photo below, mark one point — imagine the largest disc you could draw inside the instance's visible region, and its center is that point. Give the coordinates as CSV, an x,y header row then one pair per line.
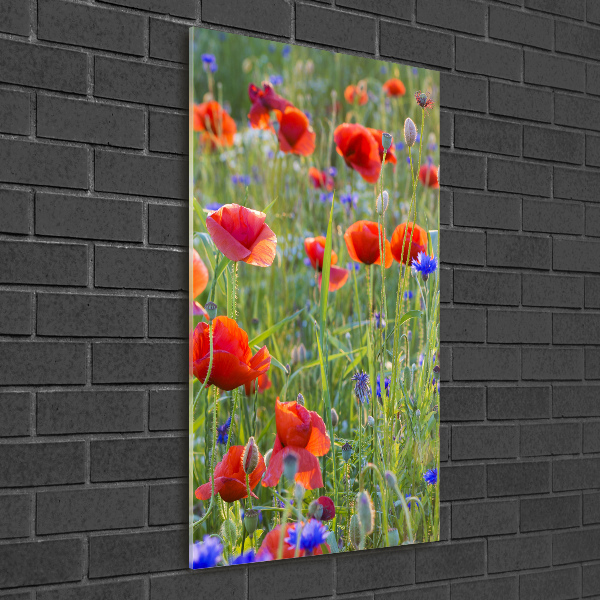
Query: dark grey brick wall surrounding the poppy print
x,y
93,273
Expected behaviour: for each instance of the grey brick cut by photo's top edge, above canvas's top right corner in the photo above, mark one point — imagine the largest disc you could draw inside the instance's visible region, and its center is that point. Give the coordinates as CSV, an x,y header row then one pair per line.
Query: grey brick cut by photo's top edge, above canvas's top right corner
x,y
461,15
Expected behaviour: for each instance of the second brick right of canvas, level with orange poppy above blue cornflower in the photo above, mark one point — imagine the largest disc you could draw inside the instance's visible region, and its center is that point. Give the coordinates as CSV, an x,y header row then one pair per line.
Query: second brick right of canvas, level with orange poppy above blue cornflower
x,y
517,250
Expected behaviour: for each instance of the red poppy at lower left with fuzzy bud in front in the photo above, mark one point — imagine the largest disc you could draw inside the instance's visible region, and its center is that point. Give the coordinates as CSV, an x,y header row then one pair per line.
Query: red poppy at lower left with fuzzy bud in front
x,y
230,479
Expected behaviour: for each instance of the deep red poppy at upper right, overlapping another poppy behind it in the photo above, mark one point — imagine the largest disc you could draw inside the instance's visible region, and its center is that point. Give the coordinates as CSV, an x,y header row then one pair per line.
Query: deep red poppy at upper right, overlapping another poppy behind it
x,y
359,149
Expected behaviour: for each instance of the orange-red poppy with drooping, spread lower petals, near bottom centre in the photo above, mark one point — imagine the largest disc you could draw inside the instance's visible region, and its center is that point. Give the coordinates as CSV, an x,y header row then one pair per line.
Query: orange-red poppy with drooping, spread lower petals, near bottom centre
x,y
302,432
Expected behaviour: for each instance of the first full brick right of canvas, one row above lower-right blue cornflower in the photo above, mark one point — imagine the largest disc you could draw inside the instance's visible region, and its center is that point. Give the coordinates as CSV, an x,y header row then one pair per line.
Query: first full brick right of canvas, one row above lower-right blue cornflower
x,y
484,441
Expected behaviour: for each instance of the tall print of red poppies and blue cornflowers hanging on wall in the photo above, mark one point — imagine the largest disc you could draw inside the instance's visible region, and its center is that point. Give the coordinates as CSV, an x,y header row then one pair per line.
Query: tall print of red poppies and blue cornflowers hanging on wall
x,y
314,321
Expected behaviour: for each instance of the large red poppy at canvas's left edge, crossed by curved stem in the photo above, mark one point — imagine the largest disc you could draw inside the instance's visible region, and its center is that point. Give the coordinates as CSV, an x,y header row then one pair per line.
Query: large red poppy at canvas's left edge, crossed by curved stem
x,y
233,363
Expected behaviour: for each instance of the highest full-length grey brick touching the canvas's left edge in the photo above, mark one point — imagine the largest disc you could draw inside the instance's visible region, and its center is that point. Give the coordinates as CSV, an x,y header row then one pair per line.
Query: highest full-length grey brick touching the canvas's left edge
x,y
140,82
